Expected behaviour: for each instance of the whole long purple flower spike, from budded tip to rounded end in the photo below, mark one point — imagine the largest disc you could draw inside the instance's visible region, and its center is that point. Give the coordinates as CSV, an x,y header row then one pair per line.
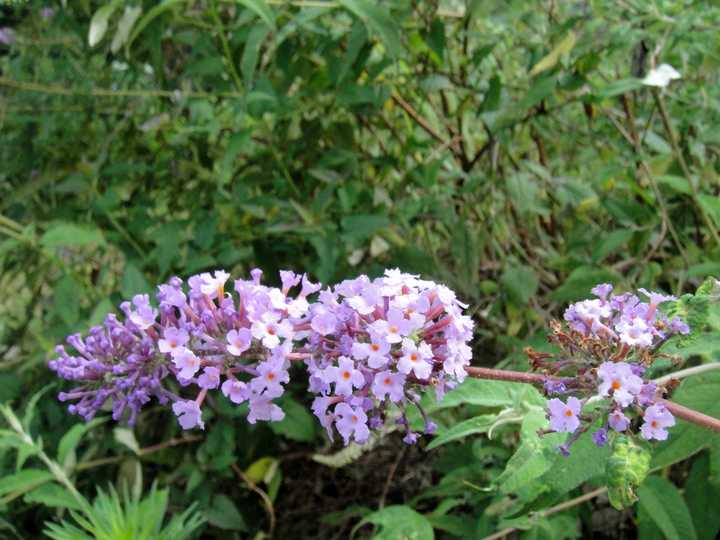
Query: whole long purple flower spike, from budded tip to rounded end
x,y
366,344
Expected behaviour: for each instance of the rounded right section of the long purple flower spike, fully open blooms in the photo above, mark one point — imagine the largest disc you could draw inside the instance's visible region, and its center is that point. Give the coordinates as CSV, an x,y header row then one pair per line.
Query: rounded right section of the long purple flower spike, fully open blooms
x,y
376,343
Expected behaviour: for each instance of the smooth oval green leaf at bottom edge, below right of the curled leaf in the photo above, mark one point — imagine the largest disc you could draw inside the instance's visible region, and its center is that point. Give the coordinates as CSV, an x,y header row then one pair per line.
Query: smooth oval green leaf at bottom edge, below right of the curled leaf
x,y
666,507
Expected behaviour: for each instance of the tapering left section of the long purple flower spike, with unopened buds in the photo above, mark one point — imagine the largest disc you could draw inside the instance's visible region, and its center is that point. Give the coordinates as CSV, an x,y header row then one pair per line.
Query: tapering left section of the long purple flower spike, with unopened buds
x,y
203,337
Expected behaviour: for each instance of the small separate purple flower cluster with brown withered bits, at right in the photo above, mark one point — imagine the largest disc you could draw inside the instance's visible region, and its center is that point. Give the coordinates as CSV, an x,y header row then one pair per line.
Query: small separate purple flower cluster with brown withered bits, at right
x,y
612,339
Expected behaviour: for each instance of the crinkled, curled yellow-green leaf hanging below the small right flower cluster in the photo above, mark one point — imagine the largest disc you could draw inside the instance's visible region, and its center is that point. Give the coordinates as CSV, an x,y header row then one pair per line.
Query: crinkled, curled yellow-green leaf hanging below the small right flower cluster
x,y
626,469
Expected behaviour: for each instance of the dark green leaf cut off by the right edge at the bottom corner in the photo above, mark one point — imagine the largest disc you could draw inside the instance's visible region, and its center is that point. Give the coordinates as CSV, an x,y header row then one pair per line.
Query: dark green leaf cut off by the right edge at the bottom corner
x,y
702,495
